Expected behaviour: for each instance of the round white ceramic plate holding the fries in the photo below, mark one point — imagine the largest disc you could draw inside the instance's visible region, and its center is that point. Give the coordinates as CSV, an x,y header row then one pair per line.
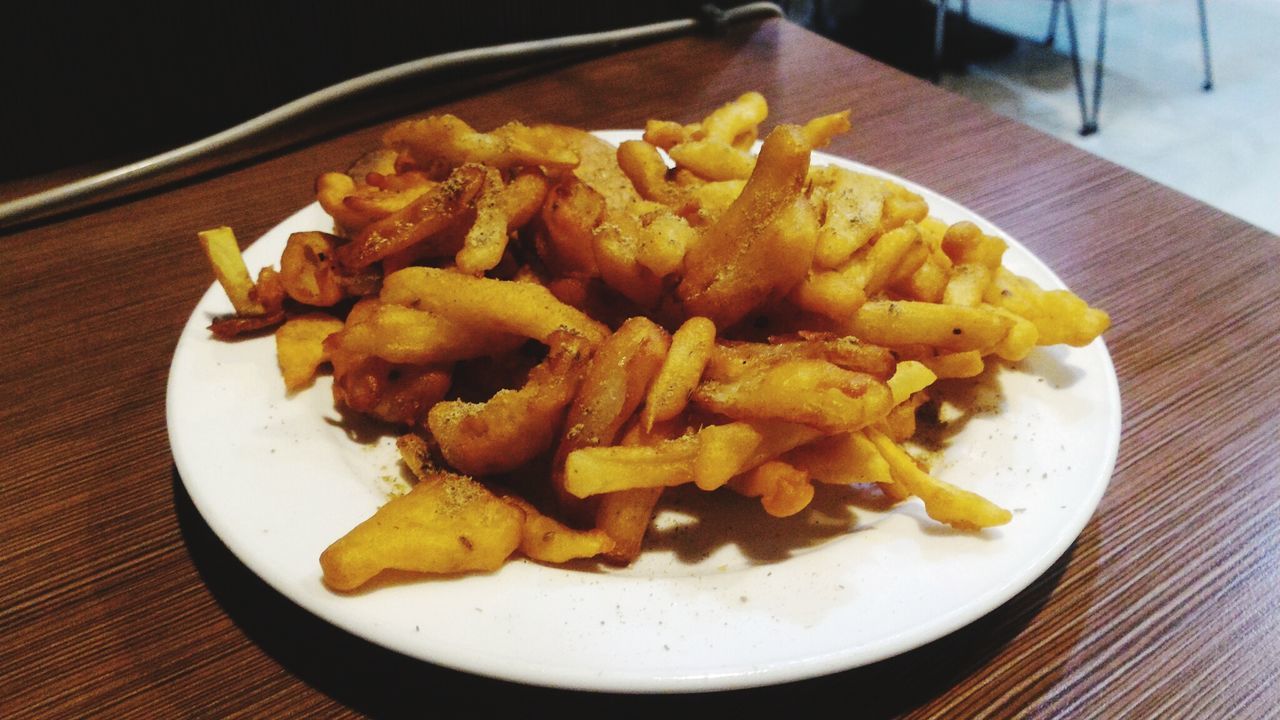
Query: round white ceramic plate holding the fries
x,y
725,598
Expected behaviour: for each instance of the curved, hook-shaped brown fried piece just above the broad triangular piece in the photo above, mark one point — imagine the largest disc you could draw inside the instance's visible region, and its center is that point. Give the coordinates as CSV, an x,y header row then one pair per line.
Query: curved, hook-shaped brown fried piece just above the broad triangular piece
x,y
515,426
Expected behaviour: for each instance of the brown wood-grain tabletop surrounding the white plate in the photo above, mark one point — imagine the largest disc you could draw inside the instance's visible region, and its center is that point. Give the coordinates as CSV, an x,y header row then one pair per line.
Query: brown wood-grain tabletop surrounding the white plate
x,y
117,599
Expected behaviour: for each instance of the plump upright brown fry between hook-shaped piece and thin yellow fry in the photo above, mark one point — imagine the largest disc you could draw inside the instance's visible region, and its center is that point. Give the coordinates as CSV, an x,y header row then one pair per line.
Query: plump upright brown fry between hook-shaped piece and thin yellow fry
x,y
612,390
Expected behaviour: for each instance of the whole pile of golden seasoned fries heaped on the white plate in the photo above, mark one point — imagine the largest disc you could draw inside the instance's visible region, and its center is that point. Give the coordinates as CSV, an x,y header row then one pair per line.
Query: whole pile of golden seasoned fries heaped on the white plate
x,y
565,330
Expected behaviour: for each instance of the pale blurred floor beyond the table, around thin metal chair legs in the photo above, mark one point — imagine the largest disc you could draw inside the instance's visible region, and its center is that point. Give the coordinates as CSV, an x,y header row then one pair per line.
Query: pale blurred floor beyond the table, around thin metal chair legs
x,y
1220,147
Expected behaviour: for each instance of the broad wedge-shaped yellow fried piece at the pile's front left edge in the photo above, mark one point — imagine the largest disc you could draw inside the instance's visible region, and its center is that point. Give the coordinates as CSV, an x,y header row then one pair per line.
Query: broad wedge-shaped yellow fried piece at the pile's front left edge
x,y
446,525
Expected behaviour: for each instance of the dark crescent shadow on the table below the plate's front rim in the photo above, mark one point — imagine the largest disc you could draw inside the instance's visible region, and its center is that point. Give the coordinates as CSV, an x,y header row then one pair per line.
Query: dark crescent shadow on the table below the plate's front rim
x,y
382,683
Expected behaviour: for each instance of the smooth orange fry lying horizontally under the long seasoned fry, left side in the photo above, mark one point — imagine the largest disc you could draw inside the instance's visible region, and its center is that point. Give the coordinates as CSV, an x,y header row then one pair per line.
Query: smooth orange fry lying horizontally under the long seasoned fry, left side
x,y
419,338
